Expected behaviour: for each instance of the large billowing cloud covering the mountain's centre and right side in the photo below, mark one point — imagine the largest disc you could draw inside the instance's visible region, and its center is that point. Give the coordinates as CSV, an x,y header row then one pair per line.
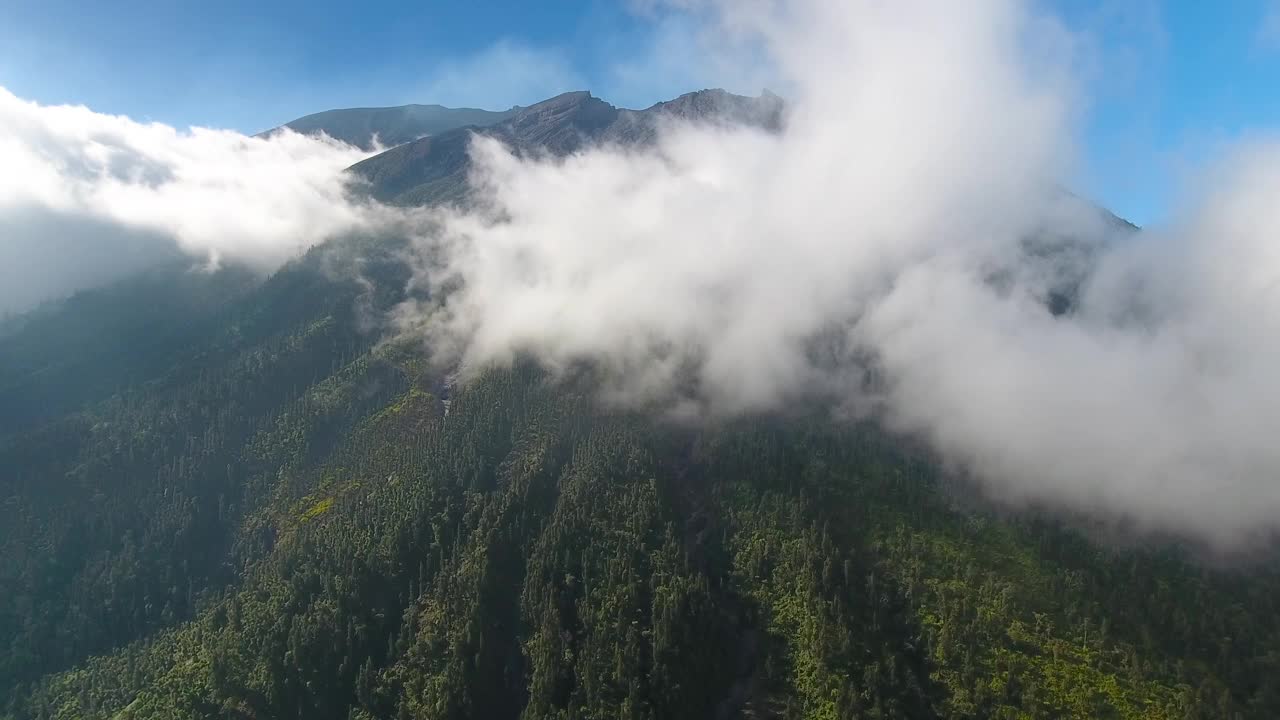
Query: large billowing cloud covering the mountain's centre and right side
x,y
895,250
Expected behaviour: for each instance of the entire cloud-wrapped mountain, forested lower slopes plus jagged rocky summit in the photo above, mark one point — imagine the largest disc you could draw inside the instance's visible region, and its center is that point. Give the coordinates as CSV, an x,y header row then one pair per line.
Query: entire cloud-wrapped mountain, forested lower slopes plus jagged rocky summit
x,y
227,498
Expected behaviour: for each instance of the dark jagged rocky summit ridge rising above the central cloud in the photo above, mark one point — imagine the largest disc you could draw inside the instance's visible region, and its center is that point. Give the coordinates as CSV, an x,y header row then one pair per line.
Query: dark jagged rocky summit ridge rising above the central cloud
x,y
435,170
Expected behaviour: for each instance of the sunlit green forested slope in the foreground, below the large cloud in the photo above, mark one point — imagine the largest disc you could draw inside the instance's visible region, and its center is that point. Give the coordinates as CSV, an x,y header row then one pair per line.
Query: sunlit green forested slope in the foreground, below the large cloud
x,y
529,555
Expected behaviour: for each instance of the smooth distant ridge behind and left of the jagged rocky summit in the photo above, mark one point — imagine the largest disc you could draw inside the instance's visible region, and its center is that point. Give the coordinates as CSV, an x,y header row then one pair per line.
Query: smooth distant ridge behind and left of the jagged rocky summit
x,y
392,126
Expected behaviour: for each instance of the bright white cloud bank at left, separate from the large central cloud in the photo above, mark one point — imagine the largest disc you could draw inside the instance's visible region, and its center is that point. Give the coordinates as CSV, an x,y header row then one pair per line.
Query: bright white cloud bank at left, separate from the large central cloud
x,y
86,198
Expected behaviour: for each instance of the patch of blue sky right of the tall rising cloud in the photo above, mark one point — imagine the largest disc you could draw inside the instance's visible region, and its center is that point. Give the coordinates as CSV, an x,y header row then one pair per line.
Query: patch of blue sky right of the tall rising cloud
x,y
1177,83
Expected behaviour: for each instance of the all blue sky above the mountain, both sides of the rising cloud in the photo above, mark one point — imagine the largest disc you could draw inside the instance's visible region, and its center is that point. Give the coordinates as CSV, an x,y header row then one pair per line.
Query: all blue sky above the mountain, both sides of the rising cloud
x,y
1169,83
